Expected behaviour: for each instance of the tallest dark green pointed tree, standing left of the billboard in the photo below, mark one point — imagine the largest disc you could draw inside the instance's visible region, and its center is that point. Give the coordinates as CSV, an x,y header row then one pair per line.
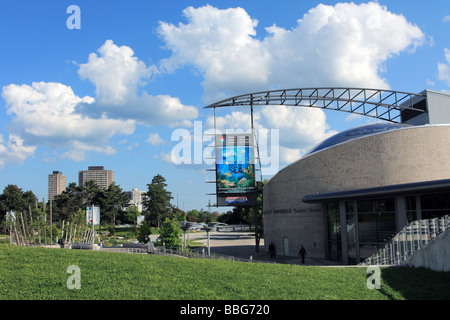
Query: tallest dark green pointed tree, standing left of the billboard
x,y
157,204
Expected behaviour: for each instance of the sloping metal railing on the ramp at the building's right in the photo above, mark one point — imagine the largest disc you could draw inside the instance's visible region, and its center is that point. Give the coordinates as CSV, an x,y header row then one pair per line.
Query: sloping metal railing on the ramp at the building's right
x,y
408,240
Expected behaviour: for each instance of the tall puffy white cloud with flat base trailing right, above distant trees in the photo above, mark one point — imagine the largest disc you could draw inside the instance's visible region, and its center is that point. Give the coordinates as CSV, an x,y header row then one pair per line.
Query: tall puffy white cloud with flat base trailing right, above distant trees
x,y
118,76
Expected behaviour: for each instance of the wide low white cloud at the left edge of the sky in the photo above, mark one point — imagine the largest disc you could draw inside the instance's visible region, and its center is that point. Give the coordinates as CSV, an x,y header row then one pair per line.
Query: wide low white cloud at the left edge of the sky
x,y
45,114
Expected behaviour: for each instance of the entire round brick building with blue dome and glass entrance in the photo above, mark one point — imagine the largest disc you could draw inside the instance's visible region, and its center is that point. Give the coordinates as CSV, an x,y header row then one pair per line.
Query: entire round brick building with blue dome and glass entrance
x,y
357,189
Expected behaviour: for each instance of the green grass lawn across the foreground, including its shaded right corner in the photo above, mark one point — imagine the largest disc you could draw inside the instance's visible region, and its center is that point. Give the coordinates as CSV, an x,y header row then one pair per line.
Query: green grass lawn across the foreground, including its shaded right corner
x,y
41,273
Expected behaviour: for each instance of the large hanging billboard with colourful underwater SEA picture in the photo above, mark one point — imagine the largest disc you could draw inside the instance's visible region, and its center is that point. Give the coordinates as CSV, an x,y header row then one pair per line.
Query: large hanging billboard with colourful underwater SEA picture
x,y
235,169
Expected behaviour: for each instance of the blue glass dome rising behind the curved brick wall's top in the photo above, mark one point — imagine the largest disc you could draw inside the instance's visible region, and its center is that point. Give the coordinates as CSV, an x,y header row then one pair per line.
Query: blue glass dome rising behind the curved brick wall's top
x,y
356,133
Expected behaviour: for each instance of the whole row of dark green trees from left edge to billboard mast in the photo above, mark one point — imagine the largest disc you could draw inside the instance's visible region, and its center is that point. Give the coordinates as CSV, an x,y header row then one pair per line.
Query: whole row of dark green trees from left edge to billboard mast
x,y
114,206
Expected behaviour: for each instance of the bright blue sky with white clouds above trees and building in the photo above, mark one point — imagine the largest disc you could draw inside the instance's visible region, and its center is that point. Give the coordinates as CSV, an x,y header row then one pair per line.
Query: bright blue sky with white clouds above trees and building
x,y
137,73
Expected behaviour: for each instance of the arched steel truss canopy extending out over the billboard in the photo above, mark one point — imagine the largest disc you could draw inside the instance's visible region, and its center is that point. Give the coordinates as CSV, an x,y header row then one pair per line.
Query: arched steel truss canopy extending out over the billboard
x,y
381,104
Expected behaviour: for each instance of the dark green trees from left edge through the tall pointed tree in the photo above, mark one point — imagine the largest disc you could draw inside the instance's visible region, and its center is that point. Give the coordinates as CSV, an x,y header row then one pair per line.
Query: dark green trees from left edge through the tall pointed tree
x,y
113,202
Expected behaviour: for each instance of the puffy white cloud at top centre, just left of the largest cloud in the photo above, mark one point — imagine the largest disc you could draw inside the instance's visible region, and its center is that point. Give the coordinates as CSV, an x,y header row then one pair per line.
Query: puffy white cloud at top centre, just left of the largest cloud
x,y
220,44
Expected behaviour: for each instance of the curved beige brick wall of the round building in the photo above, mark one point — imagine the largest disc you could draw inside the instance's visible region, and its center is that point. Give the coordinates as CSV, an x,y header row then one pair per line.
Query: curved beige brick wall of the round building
x,y
414,154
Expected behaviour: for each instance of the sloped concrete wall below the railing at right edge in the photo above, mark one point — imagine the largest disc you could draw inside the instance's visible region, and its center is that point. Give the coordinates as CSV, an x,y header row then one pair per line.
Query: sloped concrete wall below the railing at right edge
x,y
435,255
